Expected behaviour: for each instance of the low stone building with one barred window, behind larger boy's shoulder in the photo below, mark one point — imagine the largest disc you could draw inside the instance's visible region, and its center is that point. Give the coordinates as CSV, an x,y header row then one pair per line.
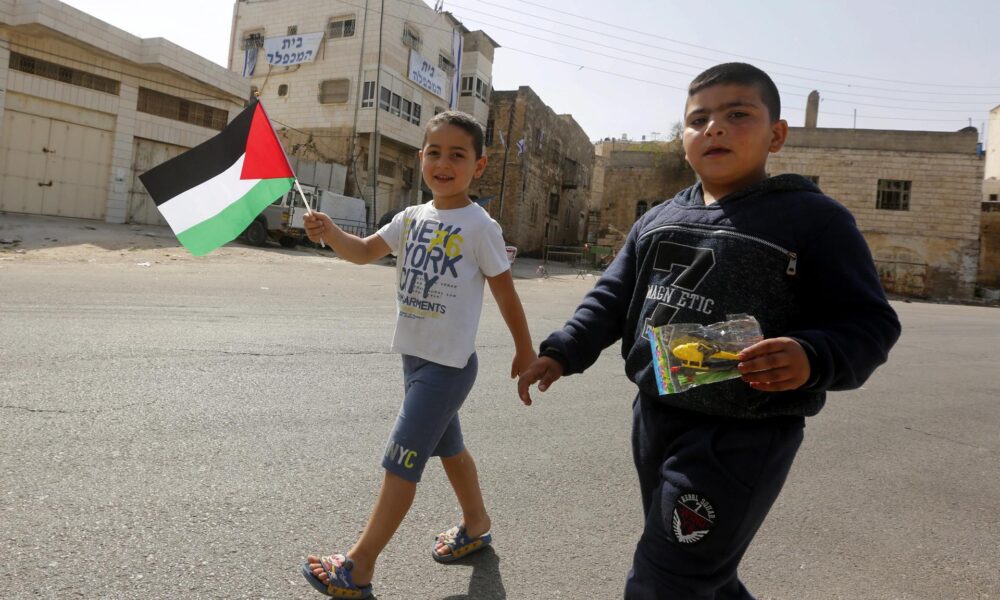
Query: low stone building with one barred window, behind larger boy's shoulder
x,y
915,195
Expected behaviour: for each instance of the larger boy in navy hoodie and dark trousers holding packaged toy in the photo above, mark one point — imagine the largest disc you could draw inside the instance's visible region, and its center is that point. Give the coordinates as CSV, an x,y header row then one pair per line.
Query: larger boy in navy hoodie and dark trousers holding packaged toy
x,y
712,460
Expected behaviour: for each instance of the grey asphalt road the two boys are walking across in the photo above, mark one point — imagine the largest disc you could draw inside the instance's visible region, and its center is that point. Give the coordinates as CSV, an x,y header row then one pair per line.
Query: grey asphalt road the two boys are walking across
x,y
194,429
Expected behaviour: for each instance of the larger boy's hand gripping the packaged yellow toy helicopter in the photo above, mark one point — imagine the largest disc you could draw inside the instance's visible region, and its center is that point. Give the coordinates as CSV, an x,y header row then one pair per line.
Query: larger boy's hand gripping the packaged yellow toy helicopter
x,y
775,365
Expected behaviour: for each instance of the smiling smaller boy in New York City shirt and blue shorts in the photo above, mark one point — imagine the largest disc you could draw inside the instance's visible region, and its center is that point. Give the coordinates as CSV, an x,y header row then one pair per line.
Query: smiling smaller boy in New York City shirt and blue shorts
x,y
446,249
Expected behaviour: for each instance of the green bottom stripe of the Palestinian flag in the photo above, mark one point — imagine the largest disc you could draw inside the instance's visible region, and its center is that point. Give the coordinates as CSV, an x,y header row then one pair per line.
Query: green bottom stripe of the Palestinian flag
x,y
234,219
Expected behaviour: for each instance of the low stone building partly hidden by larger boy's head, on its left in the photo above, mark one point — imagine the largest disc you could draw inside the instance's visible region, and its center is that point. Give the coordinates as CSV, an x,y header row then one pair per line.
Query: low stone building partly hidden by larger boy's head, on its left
x,y
630,177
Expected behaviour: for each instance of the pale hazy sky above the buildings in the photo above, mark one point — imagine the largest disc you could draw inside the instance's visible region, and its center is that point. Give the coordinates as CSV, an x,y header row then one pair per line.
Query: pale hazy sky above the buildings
x,y
900,64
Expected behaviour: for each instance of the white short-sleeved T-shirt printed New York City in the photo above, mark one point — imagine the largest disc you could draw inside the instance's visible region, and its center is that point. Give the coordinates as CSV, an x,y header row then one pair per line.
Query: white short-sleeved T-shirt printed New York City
x,y
442,268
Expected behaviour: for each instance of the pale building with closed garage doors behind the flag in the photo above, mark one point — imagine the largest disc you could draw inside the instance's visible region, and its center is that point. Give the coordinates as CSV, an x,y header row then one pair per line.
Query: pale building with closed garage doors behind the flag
x,y
86,107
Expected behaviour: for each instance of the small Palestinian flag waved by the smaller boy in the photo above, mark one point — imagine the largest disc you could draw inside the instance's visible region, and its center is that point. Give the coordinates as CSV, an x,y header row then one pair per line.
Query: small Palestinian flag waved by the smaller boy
x,y
212,192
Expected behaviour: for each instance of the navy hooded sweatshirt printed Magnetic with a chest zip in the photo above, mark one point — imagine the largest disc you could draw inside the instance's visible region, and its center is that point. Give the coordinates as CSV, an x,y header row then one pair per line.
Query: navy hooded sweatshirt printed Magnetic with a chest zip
x,y
779,250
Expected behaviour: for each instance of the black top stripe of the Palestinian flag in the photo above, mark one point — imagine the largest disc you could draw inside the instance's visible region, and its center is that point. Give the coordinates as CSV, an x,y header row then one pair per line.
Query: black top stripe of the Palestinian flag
x,y
201,163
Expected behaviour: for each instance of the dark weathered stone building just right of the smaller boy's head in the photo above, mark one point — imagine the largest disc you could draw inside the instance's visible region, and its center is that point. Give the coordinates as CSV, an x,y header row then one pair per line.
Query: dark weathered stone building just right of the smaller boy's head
x,y
538,178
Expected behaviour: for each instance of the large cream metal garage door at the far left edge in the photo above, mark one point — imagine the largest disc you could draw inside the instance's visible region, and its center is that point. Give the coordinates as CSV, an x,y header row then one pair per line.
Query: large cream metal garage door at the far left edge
x,y
53,167
